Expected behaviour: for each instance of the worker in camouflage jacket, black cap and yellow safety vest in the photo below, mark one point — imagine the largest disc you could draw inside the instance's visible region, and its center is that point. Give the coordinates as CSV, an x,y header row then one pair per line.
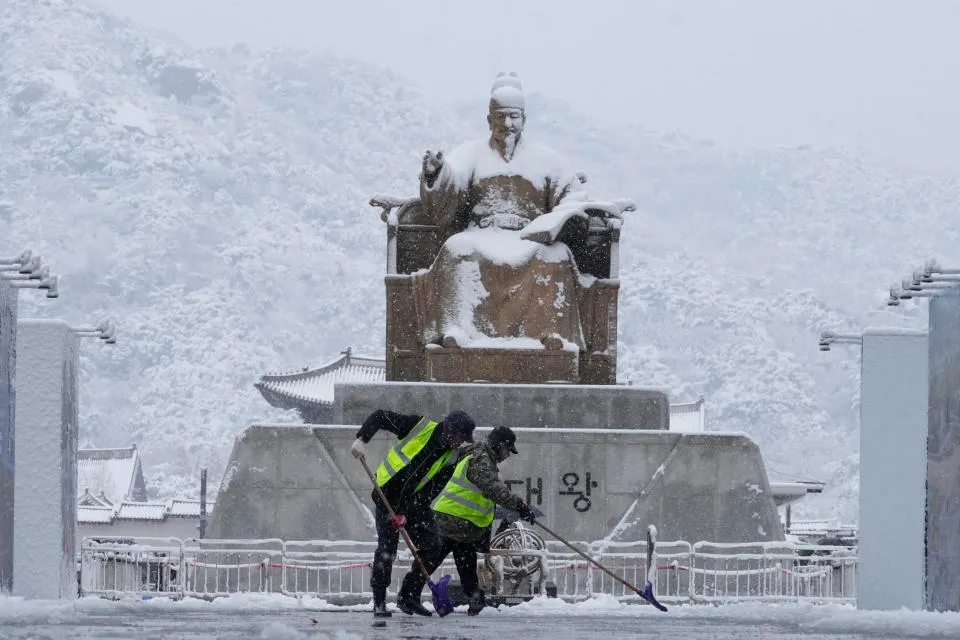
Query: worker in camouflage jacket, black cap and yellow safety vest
x,y
465,513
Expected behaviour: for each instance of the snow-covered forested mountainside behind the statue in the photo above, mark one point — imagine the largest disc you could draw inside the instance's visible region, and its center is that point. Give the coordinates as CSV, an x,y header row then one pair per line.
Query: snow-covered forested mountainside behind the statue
x,y
214,203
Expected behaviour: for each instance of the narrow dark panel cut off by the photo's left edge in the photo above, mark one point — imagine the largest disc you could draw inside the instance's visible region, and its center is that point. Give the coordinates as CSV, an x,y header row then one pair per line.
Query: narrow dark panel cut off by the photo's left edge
x,y
8,360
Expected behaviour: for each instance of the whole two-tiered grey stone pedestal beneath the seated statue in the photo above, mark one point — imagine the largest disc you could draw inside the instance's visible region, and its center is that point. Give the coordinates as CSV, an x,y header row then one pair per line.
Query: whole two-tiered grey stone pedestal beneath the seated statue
x,y
598,460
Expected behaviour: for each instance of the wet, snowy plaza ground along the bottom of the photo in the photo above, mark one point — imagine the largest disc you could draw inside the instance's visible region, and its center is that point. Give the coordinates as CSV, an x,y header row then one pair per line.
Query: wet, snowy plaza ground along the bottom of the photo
x,y
282,618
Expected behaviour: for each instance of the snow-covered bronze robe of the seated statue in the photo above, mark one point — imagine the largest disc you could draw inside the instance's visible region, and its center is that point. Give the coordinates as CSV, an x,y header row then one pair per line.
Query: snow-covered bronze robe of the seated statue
x,y
489,286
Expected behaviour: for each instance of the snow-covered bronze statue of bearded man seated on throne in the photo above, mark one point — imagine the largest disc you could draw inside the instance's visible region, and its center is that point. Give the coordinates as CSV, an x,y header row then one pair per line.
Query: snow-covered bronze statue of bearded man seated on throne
x,y
499,270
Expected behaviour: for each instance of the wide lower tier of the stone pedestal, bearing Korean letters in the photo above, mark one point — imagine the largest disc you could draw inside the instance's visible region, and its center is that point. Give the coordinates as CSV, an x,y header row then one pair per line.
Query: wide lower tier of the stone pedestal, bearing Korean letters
x,y
301,483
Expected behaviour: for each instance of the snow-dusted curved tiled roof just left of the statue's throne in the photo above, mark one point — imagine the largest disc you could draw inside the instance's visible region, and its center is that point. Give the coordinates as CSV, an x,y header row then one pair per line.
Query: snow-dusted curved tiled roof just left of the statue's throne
x,y
293,390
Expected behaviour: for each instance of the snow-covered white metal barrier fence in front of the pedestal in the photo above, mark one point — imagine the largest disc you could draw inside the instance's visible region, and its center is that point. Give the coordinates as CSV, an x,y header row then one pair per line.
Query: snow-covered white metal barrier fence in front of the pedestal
x,y
339,571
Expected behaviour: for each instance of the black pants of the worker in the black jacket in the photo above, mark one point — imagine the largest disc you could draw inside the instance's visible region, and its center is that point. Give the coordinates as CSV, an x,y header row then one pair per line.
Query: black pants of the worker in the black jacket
x,y
422,528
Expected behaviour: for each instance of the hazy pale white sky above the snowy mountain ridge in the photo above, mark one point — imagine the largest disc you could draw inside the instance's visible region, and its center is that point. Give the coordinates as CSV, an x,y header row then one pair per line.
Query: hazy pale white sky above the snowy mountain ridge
x,y
878,74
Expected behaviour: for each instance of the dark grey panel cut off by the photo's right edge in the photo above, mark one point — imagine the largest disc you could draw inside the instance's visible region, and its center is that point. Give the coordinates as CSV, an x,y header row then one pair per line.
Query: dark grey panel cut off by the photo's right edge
x,y
943,455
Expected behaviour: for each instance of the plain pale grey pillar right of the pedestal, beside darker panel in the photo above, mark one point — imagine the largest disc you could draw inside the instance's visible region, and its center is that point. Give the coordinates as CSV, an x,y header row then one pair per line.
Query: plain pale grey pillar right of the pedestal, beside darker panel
x,y
893,442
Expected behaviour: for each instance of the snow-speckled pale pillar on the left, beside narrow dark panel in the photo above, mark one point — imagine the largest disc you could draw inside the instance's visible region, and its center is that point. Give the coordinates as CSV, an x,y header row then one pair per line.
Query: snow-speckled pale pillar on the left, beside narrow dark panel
x,y
45,511
